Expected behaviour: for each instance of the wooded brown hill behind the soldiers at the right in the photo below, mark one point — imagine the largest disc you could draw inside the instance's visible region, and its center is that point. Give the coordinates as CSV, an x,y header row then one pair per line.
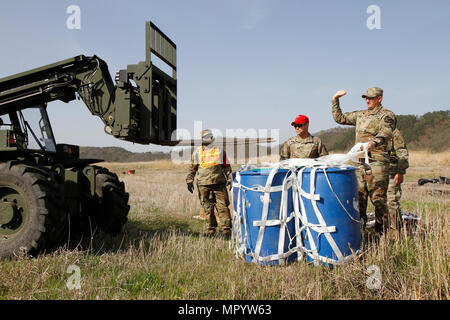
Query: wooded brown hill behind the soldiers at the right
x,y
430,131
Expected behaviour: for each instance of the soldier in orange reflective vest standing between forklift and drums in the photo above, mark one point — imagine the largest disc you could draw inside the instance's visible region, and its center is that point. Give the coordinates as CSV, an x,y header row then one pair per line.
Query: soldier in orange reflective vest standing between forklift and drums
x,y
210,164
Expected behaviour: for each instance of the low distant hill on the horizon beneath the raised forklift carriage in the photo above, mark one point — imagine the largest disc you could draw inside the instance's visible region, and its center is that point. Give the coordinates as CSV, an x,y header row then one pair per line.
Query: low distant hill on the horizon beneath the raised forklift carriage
x,y
117,154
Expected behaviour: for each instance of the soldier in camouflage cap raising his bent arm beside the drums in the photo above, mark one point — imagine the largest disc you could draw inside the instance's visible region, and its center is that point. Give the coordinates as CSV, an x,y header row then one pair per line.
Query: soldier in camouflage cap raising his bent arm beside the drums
x,y
375,126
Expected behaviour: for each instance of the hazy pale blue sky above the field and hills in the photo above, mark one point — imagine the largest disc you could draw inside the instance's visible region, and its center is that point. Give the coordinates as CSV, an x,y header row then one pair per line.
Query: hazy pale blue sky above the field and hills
x,y
245,64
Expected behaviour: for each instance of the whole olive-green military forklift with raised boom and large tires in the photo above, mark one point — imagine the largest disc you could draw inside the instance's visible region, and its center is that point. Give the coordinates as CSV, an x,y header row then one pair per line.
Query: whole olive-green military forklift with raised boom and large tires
x,y
48,193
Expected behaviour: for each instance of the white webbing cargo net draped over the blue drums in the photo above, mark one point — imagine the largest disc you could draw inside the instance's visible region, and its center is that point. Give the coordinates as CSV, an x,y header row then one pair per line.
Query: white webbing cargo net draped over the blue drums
x,y
292,180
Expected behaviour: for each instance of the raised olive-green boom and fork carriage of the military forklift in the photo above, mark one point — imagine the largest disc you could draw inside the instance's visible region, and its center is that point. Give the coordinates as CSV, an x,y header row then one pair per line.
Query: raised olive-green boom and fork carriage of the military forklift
x,y
142,113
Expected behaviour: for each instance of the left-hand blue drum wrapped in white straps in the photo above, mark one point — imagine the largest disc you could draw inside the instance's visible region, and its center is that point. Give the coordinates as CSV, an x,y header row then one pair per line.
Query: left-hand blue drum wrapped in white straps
x,y
265,222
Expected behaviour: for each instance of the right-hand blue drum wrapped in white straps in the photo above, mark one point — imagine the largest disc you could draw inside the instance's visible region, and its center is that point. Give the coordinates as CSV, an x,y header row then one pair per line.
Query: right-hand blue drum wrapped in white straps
x,y
331,231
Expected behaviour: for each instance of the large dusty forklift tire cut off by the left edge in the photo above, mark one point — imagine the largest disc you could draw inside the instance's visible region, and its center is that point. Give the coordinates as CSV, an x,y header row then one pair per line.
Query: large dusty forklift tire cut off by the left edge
x,y
31,218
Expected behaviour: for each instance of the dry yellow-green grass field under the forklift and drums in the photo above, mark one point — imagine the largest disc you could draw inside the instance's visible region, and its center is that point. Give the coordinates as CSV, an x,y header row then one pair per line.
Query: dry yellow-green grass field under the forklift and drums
x,y
162,253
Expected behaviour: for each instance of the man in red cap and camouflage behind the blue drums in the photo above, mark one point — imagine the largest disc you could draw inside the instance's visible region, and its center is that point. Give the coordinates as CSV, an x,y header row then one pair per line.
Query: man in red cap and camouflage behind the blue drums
x,y
303,145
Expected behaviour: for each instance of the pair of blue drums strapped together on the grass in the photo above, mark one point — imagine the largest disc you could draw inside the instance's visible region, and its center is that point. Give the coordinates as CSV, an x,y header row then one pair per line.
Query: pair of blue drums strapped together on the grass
x,y
327,229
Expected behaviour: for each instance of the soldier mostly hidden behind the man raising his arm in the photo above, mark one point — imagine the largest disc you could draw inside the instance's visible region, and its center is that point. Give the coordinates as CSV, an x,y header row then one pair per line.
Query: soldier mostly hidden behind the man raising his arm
x,y
398,164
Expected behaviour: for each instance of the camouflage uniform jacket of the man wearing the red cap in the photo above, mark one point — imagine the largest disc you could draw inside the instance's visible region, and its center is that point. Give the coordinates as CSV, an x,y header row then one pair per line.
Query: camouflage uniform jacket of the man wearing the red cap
x,y
296,147
